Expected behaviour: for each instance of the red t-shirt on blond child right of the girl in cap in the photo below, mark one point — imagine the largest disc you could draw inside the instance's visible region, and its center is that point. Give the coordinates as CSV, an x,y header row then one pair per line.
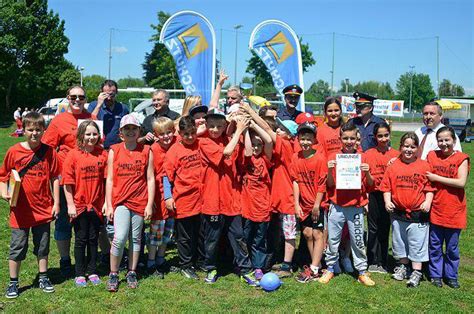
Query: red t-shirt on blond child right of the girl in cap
x,y
160,212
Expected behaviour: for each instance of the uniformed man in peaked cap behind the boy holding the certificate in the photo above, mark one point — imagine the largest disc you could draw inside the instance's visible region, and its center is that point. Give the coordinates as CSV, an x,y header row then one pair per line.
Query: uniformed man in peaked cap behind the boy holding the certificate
x,y
366,120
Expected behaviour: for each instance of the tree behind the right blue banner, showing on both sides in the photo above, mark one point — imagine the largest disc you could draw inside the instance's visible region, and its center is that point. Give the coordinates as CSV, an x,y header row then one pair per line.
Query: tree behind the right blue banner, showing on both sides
x,y
257,68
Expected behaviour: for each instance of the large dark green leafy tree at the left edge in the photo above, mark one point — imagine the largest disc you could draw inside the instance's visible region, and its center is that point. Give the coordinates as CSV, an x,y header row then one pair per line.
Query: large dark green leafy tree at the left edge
x,y
32,48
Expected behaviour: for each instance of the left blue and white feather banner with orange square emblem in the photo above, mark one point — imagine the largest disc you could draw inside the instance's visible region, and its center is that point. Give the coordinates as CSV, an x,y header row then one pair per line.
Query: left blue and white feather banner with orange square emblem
x,y
191,40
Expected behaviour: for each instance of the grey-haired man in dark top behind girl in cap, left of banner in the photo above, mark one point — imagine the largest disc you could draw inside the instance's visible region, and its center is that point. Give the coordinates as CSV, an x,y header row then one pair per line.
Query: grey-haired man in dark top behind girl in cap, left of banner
x,y
160,100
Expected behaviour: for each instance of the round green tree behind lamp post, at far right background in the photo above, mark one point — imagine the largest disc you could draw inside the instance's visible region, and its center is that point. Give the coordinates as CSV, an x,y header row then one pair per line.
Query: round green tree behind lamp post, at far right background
x,y
422,90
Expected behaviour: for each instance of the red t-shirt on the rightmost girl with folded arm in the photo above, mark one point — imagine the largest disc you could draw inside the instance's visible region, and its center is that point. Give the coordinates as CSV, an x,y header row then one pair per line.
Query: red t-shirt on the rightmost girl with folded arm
x,y
449,203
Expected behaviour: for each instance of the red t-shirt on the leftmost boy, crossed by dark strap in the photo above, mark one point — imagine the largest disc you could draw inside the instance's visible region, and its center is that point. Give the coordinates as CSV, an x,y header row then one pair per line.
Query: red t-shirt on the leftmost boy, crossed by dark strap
x,y
35,200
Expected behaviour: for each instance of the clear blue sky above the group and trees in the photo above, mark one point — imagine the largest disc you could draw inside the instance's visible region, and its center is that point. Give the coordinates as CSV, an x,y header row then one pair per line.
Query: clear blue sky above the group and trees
x,y
375,39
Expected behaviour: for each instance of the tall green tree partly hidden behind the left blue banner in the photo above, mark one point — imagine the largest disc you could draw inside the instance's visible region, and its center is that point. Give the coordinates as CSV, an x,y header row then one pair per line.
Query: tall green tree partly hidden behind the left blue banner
x,y
159,66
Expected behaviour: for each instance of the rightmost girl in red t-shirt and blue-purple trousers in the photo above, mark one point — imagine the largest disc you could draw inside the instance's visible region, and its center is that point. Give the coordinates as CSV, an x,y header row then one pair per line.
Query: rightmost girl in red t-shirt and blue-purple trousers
x,y
448,212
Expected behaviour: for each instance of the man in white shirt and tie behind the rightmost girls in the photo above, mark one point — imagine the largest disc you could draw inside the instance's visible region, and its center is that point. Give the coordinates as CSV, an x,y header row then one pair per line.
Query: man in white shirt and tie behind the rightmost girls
x,y
432,115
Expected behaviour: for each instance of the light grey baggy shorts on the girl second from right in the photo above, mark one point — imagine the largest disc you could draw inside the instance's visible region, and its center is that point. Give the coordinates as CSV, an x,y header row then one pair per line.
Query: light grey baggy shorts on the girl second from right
x,y
410,239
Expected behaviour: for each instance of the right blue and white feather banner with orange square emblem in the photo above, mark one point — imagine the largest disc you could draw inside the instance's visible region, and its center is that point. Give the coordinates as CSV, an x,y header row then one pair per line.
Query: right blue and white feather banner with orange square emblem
x,y
278,47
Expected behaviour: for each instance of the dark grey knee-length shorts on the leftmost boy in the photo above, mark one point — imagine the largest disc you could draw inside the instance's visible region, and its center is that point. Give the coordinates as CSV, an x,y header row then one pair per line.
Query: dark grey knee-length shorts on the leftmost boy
x,y
19,242
